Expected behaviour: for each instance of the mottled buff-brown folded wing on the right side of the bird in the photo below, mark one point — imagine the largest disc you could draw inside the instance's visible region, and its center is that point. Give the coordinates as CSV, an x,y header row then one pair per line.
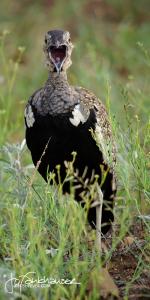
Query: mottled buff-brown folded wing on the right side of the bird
x,y
103,132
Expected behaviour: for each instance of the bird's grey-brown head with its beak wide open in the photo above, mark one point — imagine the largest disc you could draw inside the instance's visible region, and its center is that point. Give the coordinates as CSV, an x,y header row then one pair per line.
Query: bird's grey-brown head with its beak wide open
x,y
58,49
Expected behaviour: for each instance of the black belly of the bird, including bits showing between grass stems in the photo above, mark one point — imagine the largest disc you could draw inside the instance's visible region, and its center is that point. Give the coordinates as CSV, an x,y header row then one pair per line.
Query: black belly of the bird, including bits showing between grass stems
x,y
54,144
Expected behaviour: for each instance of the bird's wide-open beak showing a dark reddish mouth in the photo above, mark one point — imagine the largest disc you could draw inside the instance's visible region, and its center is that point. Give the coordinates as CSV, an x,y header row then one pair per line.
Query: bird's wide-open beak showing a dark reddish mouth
x,y
58,55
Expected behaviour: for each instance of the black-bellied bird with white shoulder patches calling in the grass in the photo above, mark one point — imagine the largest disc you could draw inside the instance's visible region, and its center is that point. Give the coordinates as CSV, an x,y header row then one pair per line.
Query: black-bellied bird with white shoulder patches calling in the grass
x,y
62,119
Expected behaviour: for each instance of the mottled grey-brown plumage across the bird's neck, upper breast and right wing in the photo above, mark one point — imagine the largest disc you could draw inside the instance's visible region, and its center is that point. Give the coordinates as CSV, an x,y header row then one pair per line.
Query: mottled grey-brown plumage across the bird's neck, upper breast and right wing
x,y
58,97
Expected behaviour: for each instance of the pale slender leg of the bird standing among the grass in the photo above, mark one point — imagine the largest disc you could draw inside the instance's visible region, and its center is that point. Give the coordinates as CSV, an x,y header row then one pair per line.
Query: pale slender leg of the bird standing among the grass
x,y
98,204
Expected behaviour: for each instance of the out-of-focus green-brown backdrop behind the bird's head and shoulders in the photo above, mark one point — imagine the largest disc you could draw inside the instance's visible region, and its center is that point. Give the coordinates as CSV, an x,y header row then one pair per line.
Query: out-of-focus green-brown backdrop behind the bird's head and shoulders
x,y
111,54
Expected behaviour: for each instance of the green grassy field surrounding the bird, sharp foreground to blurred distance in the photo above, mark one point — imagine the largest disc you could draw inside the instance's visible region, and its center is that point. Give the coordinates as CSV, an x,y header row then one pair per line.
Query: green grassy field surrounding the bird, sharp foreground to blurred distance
x,y
41,230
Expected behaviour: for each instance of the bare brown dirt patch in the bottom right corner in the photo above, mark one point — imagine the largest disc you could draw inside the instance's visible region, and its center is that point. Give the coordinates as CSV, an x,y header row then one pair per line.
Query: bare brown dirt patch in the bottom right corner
x,y
130,264
